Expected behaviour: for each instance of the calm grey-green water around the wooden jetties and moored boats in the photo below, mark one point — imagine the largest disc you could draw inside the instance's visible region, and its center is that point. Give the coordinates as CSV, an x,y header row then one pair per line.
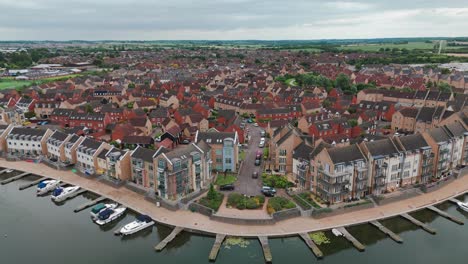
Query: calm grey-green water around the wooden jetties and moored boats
x,y
39,231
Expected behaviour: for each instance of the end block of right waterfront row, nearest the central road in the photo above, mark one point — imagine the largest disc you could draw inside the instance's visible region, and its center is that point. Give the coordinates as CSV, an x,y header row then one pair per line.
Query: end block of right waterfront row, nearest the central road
x,y
342,173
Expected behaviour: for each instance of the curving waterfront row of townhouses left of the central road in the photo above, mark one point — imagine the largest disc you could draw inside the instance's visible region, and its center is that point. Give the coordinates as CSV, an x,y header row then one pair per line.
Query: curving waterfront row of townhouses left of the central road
x,y
170,174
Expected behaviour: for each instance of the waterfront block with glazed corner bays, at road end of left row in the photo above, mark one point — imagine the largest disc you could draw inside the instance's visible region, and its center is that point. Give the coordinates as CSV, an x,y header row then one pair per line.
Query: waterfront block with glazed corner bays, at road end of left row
x,y
182,171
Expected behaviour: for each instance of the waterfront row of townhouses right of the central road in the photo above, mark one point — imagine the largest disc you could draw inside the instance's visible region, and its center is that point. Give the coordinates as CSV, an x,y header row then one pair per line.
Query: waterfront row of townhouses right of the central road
x,y
376,167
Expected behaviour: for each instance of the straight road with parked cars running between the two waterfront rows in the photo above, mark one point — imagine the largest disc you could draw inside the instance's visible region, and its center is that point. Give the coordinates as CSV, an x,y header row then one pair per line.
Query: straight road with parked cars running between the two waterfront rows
x,y
245,183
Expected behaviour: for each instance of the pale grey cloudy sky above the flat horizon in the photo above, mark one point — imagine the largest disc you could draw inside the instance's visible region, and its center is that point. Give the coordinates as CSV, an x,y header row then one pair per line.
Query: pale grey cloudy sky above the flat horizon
x,y
230,19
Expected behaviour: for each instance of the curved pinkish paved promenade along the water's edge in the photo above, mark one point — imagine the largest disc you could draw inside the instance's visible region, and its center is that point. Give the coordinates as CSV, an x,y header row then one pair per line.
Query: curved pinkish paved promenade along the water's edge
x,y
198,222
